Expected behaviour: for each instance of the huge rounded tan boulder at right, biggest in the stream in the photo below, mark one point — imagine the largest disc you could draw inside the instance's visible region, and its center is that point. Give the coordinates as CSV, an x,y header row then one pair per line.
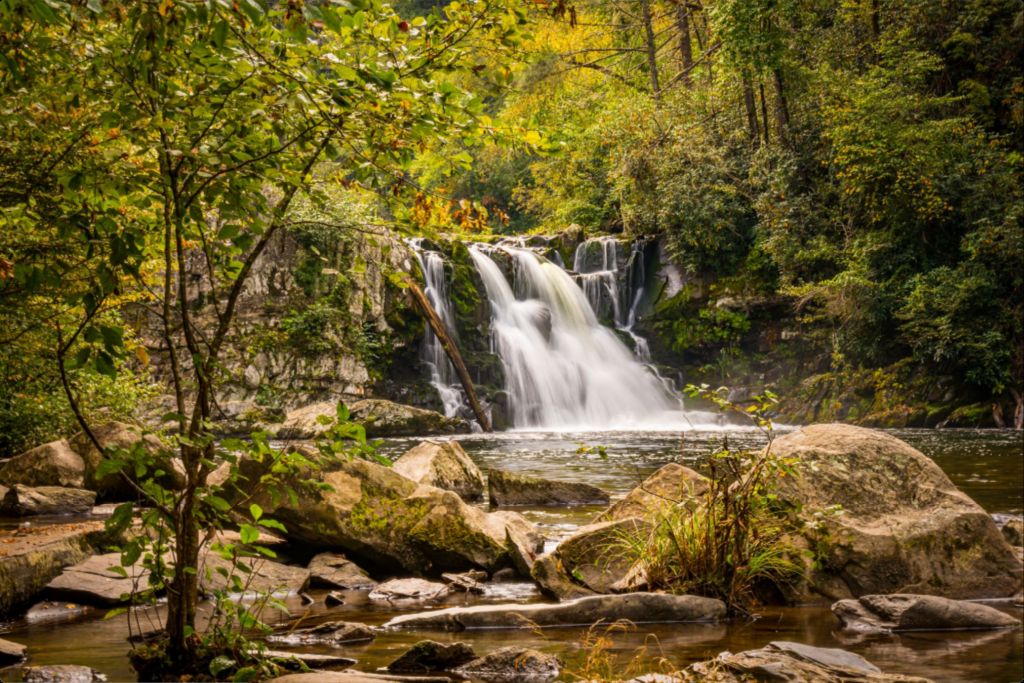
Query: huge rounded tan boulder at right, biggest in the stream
x,y
904,528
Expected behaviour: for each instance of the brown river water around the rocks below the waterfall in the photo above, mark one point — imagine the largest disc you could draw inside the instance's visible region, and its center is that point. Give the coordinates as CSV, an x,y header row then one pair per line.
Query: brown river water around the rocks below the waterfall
x,y
989,465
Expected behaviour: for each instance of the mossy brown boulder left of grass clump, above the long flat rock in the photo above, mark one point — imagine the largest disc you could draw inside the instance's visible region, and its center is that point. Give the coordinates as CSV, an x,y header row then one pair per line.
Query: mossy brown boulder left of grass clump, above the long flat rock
x,y
598,557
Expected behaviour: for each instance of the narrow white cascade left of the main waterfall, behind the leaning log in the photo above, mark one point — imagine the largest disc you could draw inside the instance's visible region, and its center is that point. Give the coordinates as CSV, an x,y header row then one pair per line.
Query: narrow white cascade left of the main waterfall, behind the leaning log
x,y
443,374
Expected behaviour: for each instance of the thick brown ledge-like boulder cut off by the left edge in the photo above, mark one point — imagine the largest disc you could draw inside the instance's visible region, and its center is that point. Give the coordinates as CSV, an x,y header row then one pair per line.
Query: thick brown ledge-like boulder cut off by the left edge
x,y
33,557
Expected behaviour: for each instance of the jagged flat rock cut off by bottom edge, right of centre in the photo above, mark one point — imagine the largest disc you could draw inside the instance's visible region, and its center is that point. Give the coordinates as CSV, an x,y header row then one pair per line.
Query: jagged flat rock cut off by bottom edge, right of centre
x,y
783,661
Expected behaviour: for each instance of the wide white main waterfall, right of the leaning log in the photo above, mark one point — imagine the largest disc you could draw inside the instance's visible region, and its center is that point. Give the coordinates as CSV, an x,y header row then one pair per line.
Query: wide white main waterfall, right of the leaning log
x,y
564,369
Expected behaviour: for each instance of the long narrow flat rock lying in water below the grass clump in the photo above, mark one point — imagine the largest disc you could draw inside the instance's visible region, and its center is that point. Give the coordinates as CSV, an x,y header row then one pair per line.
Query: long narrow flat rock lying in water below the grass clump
x,y
636,608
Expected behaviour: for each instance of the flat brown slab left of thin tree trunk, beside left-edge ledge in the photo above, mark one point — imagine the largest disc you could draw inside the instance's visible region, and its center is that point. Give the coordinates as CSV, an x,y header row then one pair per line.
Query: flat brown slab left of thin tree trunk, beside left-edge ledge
x,y
93,582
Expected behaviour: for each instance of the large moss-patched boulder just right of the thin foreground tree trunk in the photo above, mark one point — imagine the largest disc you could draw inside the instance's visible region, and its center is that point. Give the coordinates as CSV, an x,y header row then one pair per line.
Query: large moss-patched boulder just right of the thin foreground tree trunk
x,y
386,522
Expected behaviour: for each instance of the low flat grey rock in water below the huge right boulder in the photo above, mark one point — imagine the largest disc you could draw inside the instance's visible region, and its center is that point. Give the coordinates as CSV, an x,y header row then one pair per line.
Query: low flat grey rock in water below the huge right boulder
x,y
918,613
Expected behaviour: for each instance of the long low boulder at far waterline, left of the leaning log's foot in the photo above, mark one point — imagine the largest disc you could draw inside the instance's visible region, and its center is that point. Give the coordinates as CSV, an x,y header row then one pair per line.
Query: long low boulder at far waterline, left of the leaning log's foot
x,y
378,417
